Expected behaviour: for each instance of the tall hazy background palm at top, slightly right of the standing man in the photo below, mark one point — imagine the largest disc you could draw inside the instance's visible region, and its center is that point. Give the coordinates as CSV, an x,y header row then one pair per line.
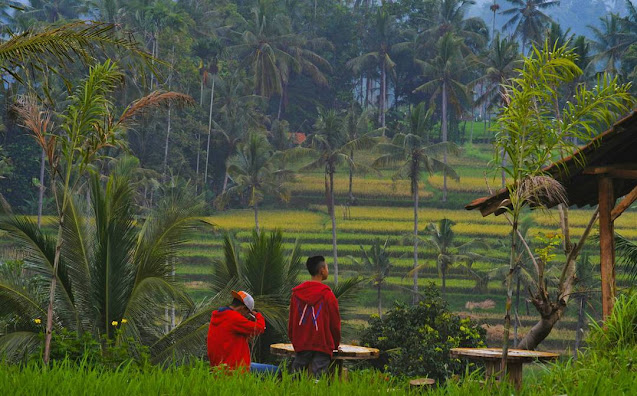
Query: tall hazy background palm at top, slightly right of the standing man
x,y
384,43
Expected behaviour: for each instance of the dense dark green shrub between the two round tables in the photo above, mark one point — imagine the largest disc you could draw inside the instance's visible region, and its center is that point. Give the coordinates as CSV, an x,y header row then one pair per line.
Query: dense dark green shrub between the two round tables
x,y
415,339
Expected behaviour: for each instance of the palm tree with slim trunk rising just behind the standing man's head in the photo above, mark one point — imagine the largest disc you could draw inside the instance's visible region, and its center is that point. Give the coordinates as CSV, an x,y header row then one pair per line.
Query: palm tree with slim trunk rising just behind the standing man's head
x,y
329,146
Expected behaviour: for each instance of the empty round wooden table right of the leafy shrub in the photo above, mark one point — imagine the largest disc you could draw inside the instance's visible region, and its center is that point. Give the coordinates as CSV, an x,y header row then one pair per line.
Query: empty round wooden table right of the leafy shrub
x,y
492,358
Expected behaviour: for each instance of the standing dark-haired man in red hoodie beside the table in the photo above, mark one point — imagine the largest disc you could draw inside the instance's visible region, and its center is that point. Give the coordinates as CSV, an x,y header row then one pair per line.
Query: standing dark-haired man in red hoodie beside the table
x,y
314,326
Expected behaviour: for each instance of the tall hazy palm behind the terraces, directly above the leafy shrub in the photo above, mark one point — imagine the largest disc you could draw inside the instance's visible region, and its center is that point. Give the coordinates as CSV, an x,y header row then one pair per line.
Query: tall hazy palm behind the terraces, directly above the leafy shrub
x,y
442,73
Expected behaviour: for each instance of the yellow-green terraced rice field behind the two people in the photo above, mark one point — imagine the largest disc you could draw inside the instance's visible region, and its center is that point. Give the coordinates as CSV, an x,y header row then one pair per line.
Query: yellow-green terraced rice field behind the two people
x,y
385,212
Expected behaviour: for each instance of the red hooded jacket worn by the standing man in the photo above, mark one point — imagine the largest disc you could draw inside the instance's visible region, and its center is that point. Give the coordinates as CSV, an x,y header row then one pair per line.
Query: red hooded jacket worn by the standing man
x,y
315,323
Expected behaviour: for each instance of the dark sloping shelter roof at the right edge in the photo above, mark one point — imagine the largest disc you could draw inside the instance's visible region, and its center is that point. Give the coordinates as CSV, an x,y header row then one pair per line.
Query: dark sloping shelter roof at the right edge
x,y
613,152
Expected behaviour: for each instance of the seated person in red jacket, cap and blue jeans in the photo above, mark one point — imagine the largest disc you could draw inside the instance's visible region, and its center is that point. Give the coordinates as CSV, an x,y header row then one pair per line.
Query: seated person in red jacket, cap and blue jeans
x,y
230,330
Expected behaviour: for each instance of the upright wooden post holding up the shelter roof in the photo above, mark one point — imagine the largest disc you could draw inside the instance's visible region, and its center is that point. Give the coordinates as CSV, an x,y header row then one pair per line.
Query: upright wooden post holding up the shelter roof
x,y
607,243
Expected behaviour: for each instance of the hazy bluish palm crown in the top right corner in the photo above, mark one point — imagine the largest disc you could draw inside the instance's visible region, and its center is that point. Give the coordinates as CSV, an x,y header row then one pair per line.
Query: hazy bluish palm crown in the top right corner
x,y
610,42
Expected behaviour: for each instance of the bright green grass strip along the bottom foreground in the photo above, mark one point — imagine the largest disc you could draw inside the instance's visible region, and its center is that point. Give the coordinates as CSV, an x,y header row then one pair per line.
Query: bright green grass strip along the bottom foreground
x,y
594,374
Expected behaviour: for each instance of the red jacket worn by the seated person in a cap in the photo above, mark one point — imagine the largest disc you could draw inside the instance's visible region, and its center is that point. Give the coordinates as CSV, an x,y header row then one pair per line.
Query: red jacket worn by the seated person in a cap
x,y
228,337
